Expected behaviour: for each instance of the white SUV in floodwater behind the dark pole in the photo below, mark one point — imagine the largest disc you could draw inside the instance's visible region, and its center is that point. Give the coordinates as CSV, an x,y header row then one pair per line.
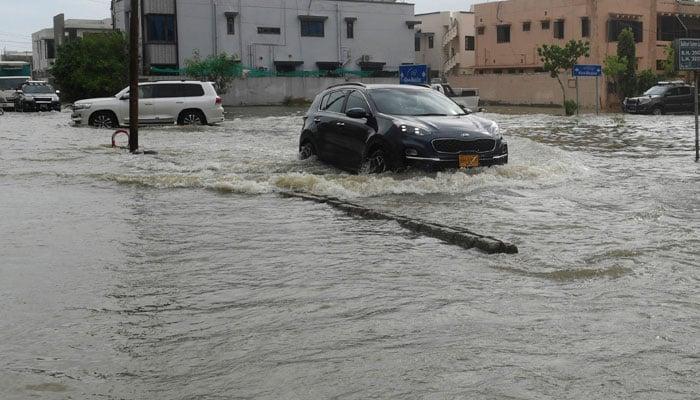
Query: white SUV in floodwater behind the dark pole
x,y
164,102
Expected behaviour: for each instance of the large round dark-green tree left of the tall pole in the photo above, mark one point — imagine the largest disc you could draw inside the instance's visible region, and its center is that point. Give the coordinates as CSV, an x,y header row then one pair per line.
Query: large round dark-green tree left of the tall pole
x,y
93,66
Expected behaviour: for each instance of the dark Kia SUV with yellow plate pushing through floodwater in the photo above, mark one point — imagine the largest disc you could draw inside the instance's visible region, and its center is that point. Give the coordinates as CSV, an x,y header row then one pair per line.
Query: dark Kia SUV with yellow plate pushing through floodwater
x,y
375,128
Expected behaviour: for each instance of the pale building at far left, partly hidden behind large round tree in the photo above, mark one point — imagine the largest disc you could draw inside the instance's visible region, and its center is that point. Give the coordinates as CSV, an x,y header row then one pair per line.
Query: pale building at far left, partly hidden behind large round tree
x,y
45,41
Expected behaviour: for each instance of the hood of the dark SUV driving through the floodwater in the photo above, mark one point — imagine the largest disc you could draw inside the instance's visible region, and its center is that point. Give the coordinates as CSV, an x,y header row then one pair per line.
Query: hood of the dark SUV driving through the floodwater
x,y
453,126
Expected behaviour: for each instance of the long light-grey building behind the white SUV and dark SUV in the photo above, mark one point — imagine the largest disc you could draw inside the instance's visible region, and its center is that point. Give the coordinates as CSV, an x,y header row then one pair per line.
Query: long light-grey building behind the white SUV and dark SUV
x,y
277,35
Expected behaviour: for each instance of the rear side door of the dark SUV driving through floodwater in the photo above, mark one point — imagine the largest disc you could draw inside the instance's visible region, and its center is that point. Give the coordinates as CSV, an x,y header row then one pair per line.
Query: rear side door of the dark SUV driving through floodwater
x,y
330,126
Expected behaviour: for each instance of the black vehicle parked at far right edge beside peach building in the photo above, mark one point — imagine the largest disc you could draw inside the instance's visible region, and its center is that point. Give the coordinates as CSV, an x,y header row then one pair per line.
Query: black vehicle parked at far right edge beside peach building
x,y
665,97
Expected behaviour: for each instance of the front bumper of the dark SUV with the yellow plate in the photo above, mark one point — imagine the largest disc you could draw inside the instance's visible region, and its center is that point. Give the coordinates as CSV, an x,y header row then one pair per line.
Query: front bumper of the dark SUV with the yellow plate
x,y
433,159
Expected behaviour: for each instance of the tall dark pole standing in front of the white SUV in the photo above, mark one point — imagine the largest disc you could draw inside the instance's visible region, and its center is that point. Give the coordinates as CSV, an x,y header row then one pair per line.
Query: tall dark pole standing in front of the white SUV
x,y
134,76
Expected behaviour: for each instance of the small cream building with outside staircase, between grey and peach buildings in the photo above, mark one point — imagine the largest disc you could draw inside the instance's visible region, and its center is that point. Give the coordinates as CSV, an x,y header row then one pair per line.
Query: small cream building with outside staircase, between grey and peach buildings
x,y
445,42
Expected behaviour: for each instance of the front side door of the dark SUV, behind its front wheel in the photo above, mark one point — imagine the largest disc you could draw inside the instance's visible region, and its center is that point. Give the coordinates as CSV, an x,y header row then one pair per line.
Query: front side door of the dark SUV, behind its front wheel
x,y
355,131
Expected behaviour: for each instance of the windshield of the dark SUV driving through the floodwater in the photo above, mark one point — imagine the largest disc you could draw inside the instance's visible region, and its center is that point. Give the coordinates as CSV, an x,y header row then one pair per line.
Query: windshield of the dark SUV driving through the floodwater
x,y
413,102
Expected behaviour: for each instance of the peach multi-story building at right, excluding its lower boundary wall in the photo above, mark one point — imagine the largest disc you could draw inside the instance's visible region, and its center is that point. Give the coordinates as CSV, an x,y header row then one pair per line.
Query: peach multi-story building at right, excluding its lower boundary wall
x,y
509,32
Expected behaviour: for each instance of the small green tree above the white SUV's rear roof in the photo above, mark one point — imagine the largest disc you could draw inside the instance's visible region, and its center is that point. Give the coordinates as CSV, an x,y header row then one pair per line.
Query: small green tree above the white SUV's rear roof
x,y
220,68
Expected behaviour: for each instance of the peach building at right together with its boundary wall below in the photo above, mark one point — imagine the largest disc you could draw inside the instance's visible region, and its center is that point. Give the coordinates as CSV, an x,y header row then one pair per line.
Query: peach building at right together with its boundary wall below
x,y
508,34
